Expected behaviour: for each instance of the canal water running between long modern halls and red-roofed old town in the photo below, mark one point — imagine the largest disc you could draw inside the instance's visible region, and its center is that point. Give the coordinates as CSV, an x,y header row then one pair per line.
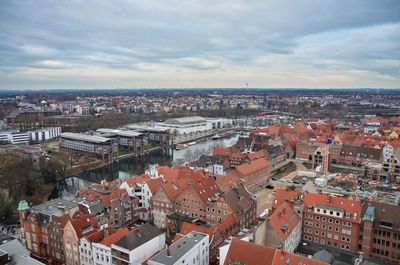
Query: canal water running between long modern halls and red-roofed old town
x,y
134,166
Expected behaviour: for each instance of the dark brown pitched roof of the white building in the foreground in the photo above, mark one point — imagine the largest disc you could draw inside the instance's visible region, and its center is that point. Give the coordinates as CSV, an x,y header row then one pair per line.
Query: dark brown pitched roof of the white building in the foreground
x,y
138,237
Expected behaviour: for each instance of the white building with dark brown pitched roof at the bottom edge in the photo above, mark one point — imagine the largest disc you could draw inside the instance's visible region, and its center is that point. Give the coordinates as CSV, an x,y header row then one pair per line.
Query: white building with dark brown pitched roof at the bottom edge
x,y
138,245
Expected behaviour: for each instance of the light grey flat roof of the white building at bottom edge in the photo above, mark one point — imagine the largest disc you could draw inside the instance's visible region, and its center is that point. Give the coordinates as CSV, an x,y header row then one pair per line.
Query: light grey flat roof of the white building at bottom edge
x,y
179,248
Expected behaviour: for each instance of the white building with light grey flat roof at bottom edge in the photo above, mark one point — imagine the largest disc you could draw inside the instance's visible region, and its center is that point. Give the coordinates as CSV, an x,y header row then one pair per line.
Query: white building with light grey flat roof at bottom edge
x,y
192,249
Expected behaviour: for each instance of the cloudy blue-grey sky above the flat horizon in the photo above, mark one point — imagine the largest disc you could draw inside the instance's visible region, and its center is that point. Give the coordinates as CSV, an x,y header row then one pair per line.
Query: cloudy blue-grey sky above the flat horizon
x,y
98,44
